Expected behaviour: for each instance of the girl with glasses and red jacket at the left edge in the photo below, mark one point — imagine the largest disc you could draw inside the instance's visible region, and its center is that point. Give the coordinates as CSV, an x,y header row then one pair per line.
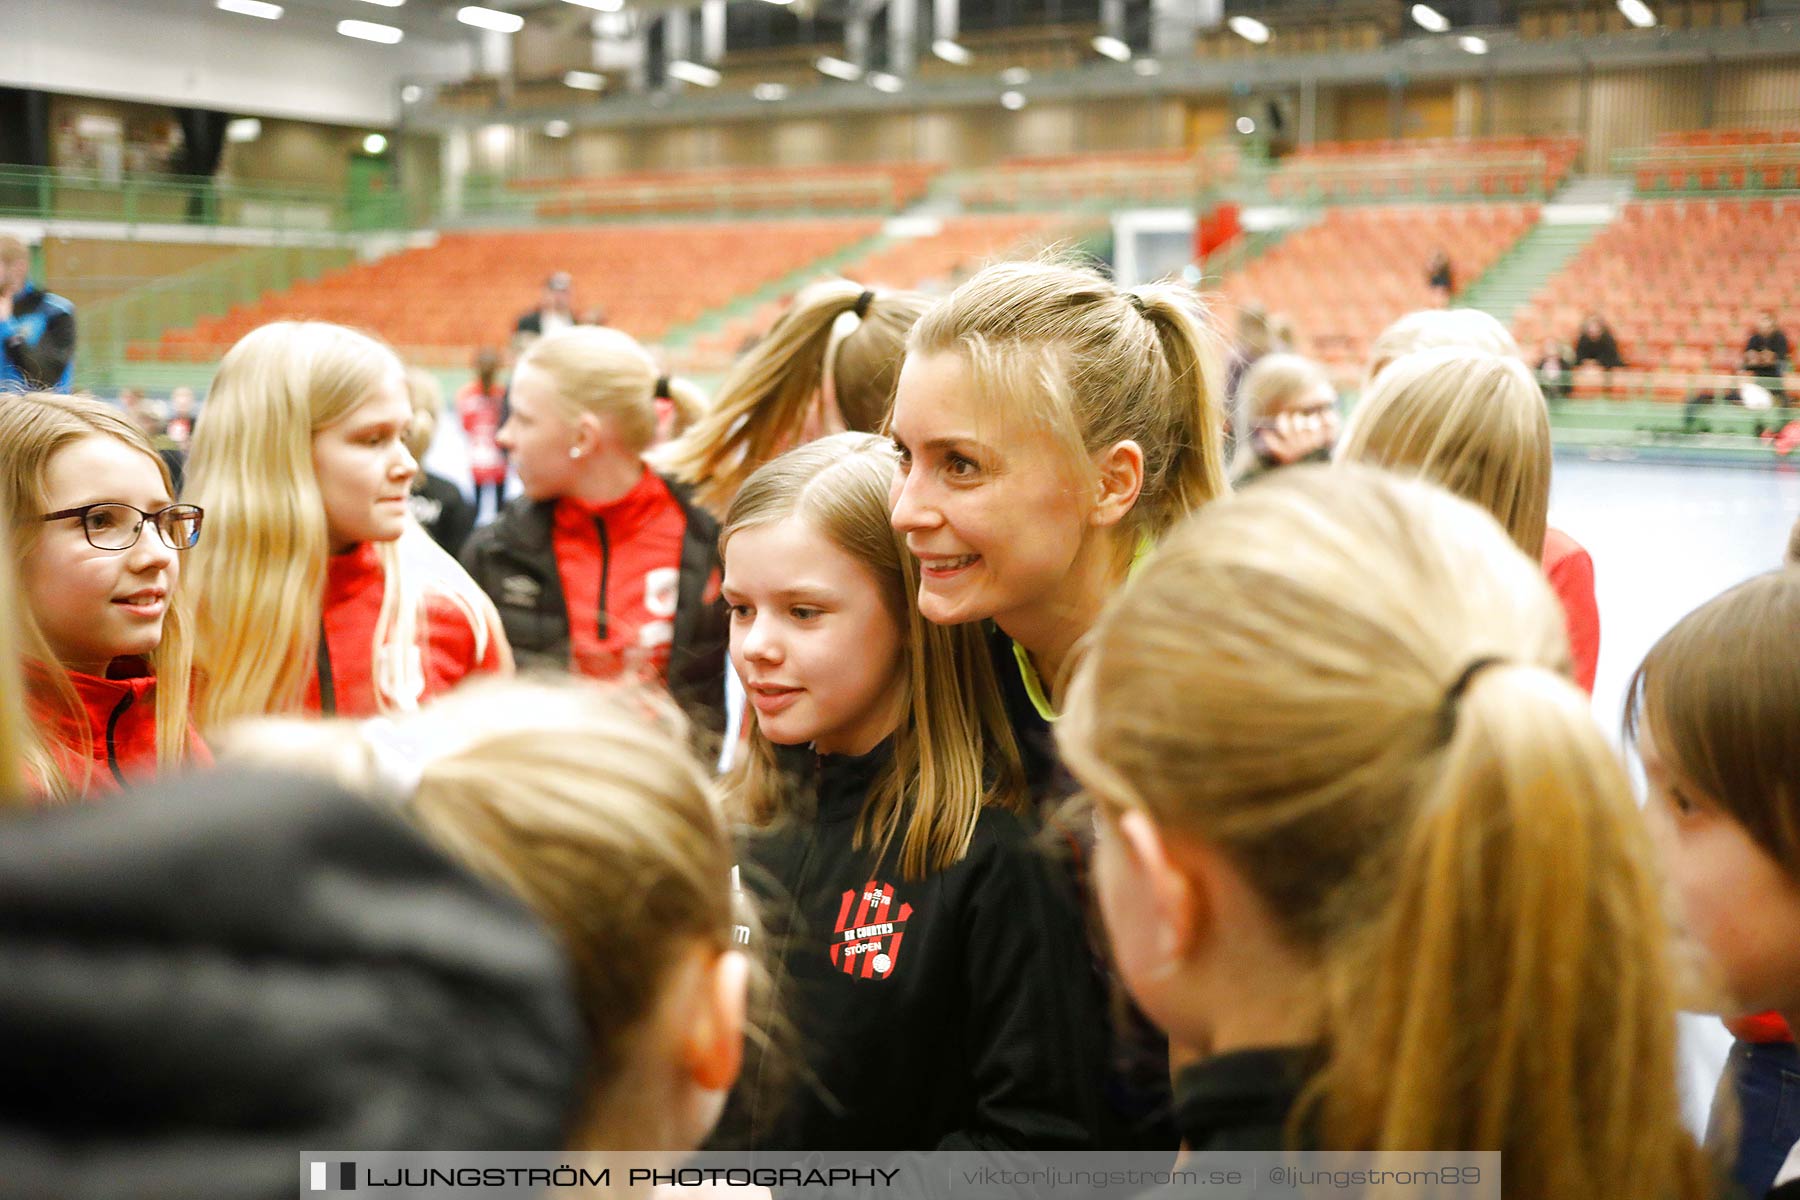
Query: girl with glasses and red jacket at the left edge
x,y
100,544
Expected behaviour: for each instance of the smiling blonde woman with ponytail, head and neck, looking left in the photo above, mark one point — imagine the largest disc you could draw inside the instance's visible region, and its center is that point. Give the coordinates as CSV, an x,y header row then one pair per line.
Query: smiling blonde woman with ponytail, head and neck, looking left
x,y
1050,429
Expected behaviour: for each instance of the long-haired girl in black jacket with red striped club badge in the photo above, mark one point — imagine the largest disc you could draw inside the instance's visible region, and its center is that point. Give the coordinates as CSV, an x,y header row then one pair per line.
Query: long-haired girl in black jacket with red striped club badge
x,y
883,794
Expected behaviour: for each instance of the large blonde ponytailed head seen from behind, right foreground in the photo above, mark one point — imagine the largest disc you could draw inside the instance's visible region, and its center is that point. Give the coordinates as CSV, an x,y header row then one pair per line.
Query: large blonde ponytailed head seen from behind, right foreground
x,y
1407,899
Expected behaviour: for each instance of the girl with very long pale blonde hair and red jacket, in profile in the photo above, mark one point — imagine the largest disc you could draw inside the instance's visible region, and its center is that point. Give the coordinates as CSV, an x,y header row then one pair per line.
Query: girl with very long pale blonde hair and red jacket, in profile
x,y
316,591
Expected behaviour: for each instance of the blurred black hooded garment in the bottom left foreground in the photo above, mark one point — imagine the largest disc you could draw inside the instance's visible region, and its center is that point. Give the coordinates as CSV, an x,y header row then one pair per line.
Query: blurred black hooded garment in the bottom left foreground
x,y
204,980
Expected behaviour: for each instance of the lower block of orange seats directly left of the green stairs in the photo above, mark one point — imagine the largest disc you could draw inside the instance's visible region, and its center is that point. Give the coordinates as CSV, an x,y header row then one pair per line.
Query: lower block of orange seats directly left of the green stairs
x,y
1344,280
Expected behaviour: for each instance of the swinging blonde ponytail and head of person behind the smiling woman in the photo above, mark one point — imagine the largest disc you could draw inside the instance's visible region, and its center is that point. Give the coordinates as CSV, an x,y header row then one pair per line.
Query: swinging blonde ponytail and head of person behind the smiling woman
x,y
827,366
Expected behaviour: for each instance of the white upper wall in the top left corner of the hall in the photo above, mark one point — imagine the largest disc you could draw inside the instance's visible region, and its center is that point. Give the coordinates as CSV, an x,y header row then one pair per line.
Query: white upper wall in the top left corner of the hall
x,y
188,53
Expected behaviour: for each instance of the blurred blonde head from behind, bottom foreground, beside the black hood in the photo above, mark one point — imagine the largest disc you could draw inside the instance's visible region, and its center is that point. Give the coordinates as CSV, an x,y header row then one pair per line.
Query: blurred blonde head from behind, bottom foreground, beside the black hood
x,y
586,803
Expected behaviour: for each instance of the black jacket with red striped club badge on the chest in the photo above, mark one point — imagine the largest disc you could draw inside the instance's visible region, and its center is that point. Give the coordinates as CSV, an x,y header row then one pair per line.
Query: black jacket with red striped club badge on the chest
x,y
957,1012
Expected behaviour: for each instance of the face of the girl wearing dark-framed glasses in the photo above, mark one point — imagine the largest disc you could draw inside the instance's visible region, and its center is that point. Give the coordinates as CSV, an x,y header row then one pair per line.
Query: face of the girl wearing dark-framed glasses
x,y
100,605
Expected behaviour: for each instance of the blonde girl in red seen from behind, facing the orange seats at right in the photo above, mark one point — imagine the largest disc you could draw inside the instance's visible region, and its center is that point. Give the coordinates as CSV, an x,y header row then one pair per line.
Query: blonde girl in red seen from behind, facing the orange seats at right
x,y
1477,422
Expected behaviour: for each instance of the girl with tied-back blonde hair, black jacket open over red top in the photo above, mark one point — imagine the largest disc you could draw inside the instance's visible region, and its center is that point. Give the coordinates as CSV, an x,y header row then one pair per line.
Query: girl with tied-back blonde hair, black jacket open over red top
x,y
604,568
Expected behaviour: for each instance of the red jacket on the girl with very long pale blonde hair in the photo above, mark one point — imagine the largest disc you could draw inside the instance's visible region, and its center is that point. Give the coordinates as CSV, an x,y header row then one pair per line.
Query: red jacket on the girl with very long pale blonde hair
x,y
345,677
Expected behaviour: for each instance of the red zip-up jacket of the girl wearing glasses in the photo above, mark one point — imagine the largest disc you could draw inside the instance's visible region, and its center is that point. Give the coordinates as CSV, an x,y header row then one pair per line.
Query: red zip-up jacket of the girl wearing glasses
x,y
120,715
